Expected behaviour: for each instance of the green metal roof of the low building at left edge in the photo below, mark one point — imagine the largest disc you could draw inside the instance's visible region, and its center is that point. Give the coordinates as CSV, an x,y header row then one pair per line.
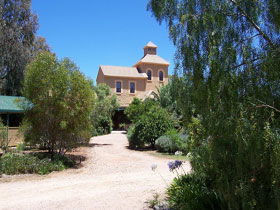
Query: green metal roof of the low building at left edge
x,y
9,104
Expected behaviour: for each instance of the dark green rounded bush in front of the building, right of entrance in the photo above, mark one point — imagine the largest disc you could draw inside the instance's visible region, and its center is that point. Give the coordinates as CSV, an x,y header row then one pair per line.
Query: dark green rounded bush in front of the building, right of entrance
x,y
150,126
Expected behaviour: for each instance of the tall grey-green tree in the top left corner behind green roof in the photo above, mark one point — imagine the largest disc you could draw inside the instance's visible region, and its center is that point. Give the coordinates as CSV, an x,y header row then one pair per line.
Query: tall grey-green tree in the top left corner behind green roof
x,y
18,26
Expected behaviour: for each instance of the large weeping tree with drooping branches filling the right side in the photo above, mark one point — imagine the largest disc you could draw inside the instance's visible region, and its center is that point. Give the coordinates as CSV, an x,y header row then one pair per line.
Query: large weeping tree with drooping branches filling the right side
x,y
227,86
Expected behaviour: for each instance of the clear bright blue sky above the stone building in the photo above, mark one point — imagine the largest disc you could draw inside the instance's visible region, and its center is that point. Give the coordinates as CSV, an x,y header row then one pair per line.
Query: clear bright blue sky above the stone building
x,y
107,32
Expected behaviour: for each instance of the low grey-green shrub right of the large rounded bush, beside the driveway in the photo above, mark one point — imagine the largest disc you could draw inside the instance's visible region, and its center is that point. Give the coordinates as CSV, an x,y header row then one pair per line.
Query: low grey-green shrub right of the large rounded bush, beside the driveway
x,y
171,142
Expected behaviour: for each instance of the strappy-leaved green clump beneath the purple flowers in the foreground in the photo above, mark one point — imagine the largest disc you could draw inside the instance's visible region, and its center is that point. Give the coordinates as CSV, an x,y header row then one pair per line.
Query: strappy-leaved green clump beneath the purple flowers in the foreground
x,y
192,192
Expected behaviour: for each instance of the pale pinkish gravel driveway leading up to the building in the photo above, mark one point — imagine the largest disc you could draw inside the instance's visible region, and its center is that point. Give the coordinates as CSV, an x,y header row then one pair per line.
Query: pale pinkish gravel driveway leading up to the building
x,y
113,177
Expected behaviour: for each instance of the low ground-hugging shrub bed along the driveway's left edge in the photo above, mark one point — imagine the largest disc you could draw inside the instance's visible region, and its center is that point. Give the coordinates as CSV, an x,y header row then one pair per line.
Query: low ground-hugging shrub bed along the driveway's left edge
x,y
16,163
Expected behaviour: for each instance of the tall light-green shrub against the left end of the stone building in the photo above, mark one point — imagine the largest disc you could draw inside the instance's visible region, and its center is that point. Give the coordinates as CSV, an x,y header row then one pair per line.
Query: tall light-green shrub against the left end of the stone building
x,y
104,108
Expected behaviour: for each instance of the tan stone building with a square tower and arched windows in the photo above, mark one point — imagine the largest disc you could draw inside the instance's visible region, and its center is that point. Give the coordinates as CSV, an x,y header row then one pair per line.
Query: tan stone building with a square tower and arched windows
x,y
140,80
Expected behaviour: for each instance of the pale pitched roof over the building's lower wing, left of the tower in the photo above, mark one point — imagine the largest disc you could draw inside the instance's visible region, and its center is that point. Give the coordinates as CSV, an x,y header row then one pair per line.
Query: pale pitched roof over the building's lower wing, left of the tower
x,y
121,71
